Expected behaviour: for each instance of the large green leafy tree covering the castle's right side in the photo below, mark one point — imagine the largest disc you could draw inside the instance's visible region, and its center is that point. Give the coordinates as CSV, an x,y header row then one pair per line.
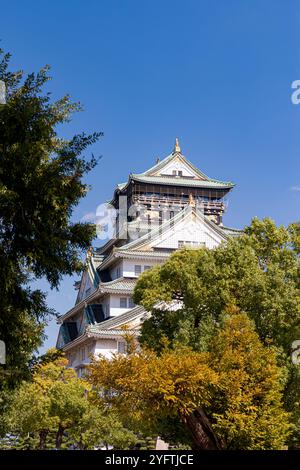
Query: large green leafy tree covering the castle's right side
x,y
257,273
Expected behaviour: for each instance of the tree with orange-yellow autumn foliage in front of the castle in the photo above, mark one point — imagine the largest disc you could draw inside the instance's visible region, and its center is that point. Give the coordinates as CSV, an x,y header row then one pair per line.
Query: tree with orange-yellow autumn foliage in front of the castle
x,y
227,398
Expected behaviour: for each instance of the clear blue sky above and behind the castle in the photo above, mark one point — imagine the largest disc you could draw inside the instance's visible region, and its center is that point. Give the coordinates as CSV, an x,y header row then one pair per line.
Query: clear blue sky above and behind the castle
x,y
217,74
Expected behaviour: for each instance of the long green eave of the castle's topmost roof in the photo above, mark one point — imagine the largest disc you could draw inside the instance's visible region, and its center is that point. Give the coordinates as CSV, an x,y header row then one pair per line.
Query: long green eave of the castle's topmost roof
x,y
181,181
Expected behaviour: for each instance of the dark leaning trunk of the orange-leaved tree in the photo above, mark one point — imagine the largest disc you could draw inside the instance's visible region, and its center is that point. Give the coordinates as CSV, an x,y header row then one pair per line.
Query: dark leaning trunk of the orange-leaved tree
x,y
201,431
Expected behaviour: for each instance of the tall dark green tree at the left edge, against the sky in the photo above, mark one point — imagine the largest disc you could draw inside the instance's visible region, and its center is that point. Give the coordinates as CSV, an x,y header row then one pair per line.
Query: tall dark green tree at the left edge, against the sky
x,y
41,181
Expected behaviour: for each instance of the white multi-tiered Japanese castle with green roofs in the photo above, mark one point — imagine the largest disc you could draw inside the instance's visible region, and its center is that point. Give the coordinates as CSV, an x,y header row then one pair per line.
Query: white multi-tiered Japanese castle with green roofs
x,y
170,206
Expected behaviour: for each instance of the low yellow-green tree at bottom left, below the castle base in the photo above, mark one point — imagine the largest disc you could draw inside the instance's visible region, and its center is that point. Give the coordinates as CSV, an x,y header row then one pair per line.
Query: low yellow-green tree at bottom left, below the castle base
x,y
56,403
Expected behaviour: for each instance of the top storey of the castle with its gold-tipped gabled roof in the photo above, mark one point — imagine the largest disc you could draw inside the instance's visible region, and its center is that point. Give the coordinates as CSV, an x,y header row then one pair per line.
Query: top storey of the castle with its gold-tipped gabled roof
x,y
162,191
